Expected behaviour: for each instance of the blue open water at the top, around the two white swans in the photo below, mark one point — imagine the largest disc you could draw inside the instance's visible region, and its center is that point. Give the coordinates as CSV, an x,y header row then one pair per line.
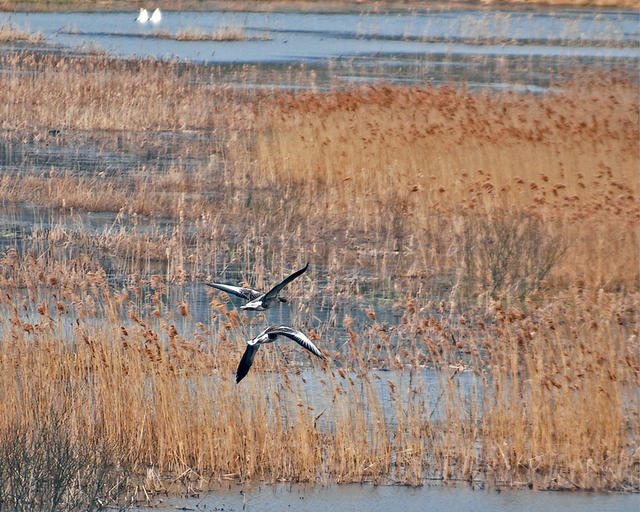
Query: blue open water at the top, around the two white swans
x,y
486,48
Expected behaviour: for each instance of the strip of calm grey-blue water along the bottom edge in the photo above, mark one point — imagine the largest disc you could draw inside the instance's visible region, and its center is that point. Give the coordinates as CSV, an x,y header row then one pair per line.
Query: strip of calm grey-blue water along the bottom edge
x,y
355,498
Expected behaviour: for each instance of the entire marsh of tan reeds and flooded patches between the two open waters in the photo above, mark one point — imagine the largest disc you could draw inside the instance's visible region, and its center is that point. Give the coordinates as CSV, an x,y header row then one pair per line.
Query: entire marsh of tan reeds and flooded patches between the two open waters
x,y
500,230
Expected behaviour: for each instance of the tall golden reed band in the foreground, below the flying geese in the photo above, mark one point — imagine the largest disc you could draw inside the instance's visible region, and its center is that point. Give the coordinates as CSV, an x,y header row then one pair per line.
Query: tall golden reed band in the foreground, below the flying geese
x,y
552,403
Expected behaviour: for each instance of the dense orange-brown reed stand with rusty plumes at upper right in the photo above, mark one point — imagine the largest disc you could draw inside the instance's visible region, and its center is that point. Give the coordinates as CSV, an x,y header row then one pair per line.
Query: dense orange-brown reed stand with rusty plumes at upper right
x,y
398,157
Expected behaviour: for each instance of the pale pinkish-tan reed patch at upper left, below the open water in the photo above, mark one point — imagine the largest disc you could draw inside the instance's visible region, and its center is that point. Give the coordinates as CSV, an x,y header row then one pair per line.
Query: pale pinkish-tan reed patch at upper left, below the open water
x,y
92,93
